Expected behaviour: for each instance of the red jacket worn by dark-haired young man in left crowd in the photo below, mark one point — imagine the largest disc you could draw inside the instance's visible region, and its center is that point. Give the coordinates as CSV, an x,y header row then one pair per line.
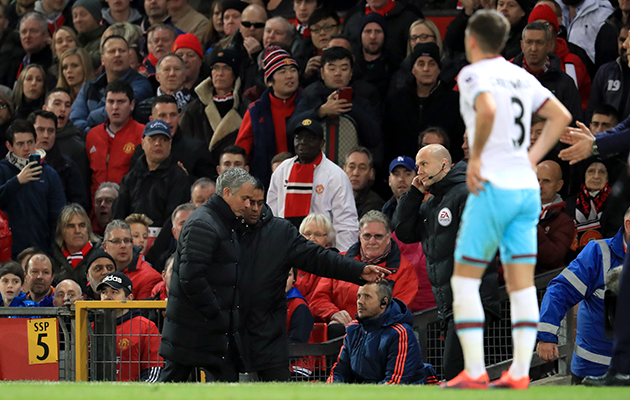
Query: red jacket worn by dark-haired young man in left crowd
x,y
110,157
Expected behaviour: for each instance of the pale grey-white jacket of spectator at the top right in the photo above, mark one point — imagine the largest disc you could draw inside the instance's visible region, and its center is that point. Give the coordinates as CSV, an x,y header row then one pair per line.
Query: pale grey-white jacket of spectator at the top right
x,y
590,17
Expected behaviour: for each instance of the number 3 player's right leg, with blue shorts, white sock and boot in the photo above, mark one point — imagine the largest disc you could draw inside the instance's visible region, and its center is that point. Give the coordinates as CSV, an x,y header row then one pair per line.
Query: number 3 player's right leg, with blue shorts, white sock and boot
x,y
518,255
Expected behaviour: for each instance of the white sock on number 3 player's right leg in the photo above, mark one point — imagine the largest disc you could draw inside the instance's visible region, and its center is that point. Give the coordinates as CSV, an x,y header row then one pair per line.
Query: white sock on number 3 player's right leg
x,y
524,308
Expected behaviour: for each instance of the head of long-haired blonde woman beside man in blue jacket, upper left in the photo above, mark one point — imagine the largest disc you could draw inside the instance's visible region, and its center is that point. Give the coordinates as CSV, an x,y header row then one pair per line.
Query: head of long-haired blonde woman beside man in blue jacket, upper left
x,y
75,68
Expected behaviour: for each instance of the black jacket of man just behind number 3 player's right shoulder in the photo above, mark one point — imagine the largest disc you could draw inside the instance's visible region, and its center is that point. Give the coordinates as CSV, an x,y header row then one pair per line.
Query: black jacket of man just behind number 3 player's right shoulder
x,y
560,84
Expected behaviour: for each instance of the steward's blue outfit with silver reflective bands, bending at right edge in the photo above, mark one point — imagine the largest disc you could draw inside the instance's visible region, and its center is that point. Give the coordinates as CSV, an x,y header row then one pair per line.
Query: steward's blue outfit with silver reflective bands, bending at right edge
x,y
583,281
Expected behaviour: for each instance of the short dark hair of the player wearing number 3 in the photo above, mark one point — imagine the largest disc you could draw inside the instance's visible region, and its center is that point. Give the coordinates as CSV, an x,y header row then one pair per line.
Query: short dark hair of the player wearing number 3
x,y
491,30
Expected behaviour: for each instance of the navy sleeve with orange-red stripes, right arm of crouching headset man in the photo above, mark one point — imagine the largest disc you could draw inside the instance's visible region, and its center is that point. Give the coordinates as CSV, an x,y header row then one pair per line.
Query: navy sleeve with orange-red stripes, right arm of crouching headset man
x,y
403,356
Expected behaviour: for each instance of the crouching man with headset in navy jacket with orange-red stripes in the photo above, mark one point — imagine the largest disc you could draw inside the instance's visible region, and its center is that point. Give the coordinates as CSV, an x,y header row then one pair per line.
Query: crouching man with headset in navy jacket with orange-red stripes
x,y
380,347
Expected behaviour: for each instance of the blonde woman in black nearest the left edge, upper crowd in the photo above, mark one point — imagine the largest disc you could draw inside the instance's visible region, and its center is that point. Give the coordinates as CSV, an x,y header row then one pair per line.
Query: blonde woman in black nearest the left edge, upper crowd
x,y
30,90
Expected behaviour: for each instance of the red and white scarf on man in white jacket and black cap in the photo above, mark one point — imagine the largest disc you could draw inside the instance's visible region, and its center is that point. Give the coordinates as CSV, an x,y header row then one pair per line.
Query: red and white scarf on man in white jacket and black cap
x,y
300,189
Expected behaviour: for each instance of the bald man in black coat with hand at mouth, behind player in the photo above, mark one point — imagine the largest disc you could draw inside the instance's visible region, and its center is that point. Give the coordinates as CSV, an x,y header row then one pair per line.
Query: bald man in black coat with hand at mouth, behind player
x,y
435,223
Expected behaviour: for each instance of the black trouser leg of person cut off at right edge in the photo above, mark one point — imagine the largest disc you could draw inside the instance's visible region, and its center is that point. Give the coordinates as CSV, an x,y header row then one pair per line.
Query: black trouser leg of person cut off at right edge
x,y
621,352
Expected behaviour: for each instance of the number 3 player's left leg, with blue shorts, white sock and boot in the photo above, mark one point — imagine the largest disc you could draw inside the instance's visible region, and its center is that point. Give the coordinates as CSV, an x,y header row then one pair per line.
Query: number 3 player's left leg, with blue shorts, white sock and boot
x,y
479,236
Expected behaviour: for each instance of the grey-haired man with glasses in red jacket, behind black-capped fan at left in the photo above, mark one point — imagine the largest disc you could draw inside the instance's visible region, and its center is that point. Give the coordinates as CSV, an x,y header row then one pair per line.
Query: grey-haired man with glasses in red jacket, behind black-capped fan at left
x,y
119,244
